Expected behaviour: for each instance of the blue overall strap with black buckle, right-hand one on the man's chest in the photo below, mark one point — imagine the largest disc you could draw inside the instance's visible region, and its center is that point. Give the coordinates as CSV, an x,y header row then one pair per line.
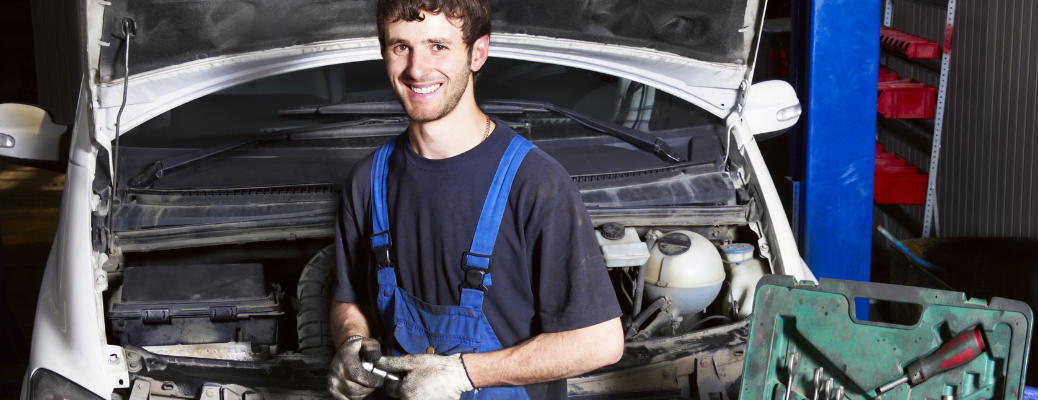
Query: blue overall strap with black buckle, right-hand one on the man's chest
x,y
477,260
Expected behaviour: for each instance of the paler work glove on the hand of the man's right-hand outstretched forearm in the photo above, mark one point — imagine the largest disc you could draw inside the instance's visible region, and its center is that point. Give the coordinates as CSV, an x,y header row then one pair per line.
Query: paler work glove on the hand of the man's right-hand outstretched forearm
x,y
429,377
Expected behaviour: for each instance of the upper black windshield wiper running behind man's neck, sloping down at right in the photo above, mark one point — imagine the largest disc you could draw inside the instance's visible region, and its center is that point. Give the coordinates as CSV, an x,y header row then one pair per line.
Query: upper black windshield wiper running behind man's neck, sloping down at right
x,y
643,141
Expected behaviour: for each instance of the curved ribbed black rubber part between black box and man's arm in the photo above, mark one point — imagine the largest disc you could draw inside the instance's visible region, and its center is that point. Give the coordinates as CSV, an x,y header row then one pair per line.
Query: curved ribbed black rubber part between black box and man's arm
x,y
314,290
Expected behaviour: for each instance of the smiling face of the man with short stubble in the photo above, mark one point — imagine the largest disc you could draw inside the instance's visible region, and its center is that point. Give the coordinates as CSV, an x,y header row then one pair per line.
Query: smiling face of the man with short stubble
x,y
429,65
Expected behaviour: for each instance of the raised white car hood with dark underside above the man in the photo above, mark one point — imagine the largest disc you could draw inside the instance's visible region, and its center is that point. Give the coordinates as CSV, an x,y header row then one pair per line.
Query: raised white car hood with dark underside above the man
x,y
702,51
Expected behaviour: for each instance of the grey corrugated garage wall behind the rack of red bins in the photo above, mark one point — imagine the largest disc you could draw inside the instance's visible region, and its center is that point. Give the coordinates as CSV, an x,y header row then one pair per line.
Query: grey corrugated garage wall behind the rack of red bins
x,y
988,180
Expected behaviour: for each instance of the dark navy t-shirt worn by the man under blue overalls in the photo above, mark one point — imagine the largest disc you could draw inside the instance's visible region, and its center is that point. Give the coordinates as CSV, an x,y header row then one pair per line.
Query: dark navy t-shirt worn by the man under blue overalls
x,y
548,271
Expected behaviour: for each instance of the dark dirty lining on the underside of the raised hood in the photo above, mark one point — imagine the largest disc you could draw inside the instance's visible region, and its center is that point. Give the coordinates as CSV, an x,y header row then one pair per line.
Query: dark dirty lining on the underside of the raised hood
x,y
171,33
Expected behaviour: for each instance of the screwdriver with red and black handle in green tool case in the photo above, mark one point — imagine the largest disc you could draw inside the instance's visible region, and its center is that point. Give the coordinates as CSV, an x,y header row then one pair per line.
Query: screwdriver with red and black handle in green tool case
x,y
957,353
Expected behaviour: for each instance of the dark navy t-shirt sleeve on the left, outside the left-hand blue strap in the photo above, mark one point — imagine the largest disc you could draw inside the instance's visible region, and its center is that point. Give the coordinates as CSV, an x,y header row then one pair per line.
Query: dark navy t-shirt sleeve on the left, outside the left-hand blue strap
x,y
351,256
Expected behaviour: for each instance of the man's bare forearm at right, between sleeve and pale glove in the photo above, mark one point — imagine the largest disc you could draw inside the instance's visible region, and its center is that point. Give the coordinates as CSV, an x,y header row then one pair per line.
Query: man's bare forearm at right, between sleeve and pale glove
x,y
549,357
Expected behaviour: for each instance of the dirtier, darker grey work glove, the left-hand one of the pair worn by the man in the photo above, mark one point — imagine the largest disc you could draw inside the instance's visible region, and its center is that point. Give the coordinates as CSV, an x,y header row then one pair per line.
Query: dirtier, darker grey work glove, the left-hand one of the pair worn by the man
x,y
347,379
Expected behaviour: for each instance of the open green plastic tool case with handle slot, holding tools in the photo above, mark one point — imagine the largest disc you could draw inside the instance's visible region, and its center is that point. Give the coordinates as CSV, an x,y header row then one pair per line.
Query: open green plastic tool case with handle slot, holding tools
x,y
818,323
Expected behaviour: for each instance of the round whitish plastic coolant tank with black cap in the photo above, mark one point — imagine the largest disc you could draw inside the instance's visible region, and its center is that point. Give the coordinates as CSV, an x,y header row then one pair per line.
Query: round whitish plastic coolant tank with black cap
x,y
687,269
